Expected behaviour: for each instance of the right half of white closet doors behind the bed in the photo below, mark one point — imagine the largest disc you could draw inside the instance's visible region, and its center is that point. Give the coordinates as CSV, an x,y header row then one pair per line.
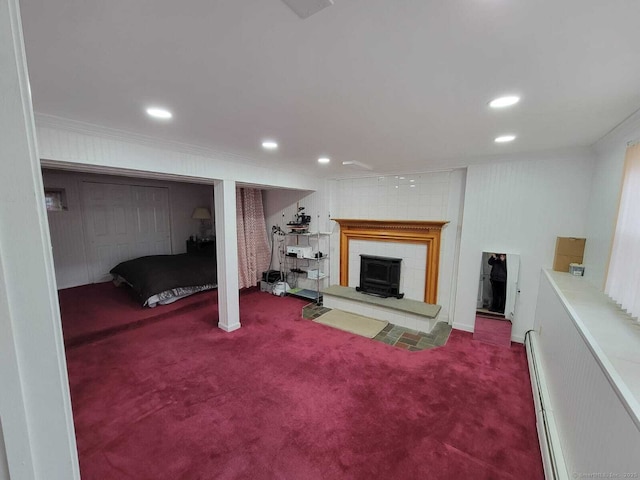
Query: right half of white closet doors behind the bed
x,y
151,212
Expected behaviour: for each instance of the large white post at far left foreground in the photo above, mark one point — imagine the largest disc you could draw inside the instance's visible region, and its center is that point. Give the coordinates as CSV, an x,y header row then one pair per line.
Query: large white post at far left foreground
x,y
35,407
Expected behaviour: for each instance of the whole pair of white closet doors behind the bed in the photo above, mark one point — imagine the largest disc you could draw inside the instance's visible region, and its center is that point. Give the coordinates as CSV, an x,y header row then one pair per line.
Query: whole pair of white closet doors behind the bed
x,y
123,222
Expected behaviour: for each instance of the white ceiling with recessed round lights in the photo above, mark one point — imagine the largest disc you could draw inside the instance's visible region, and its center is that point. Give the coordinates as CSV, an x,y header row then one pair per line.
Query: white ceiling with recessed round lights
x,y
401,85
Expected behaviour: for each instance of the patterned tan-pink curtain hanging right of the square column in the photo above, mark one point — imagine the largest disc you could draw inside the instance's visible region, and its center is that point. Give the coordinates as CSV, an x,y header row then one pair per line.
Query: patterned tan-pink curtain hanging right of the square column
x,y
253,245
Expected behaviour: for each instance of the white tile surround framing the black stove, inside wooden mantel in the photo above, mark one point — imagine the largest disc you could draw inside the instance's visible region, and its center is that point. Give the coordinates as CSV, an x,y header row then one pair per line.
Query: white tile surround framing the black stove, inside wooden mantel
x,y
412,269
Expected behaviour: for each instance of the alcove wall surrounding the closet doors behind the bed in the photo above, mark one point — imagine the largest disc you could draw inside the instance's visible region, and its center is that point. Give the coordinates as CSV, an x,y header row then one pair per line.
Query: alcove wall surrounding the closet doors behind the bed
x,y
67,233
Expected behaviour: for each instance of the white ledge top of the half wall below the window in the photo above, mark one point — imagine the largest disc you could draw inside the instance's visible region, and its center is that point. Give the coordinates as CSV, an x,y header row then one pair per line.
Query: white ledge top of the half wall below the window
x,y
611,334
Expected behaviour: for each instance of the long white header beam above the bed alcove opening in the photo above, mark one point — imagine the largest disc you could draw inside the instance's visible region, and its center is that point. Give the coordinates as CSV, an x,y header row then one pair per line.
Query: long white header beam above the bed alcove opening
x,y
80,146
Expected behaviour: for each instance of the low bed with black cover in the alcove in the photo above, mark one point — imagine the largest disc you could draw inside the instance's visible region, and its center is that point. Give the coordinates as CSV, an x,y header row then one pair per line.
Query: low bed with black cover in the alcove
x,y
163,279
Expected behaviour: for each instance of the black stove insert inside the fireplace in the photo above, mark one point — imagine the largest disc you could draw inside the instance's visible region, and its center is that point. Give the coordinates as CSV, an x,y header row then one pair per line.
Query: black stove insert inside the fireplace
x,y
380,276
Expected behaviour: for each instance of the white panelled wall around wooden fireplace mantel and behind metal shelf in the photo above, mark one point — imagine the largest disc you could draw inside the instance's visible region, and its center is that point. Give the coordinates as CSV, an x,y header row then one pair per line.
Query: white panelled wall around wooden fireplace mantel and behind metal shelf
x,y
435,196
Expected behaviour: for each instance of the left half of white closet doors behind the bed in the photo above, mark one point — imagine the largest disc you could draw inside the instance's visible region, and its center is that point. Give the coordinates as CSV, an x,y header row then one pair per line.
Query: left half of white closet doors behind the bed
x,y
109,227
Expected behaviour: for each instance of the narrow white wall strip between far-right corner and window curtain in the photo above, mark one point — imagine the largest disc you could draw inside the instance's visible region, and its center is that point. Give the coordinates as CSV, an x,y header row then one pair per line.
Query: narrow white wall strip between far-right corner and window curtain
x,y
605,193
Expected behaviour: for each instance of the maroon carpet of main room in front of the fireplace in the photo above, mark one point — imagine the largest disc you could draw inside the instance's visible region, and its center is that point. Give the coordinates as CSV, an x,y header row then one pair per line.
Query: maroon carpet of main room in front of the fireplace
x,y
286,398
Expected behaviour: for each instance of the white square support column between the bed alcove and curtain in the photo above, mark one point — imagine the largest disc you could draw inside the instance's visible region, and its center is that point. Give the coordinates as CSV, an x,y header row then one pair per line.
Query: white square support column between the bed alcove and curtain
x,y
224,193
